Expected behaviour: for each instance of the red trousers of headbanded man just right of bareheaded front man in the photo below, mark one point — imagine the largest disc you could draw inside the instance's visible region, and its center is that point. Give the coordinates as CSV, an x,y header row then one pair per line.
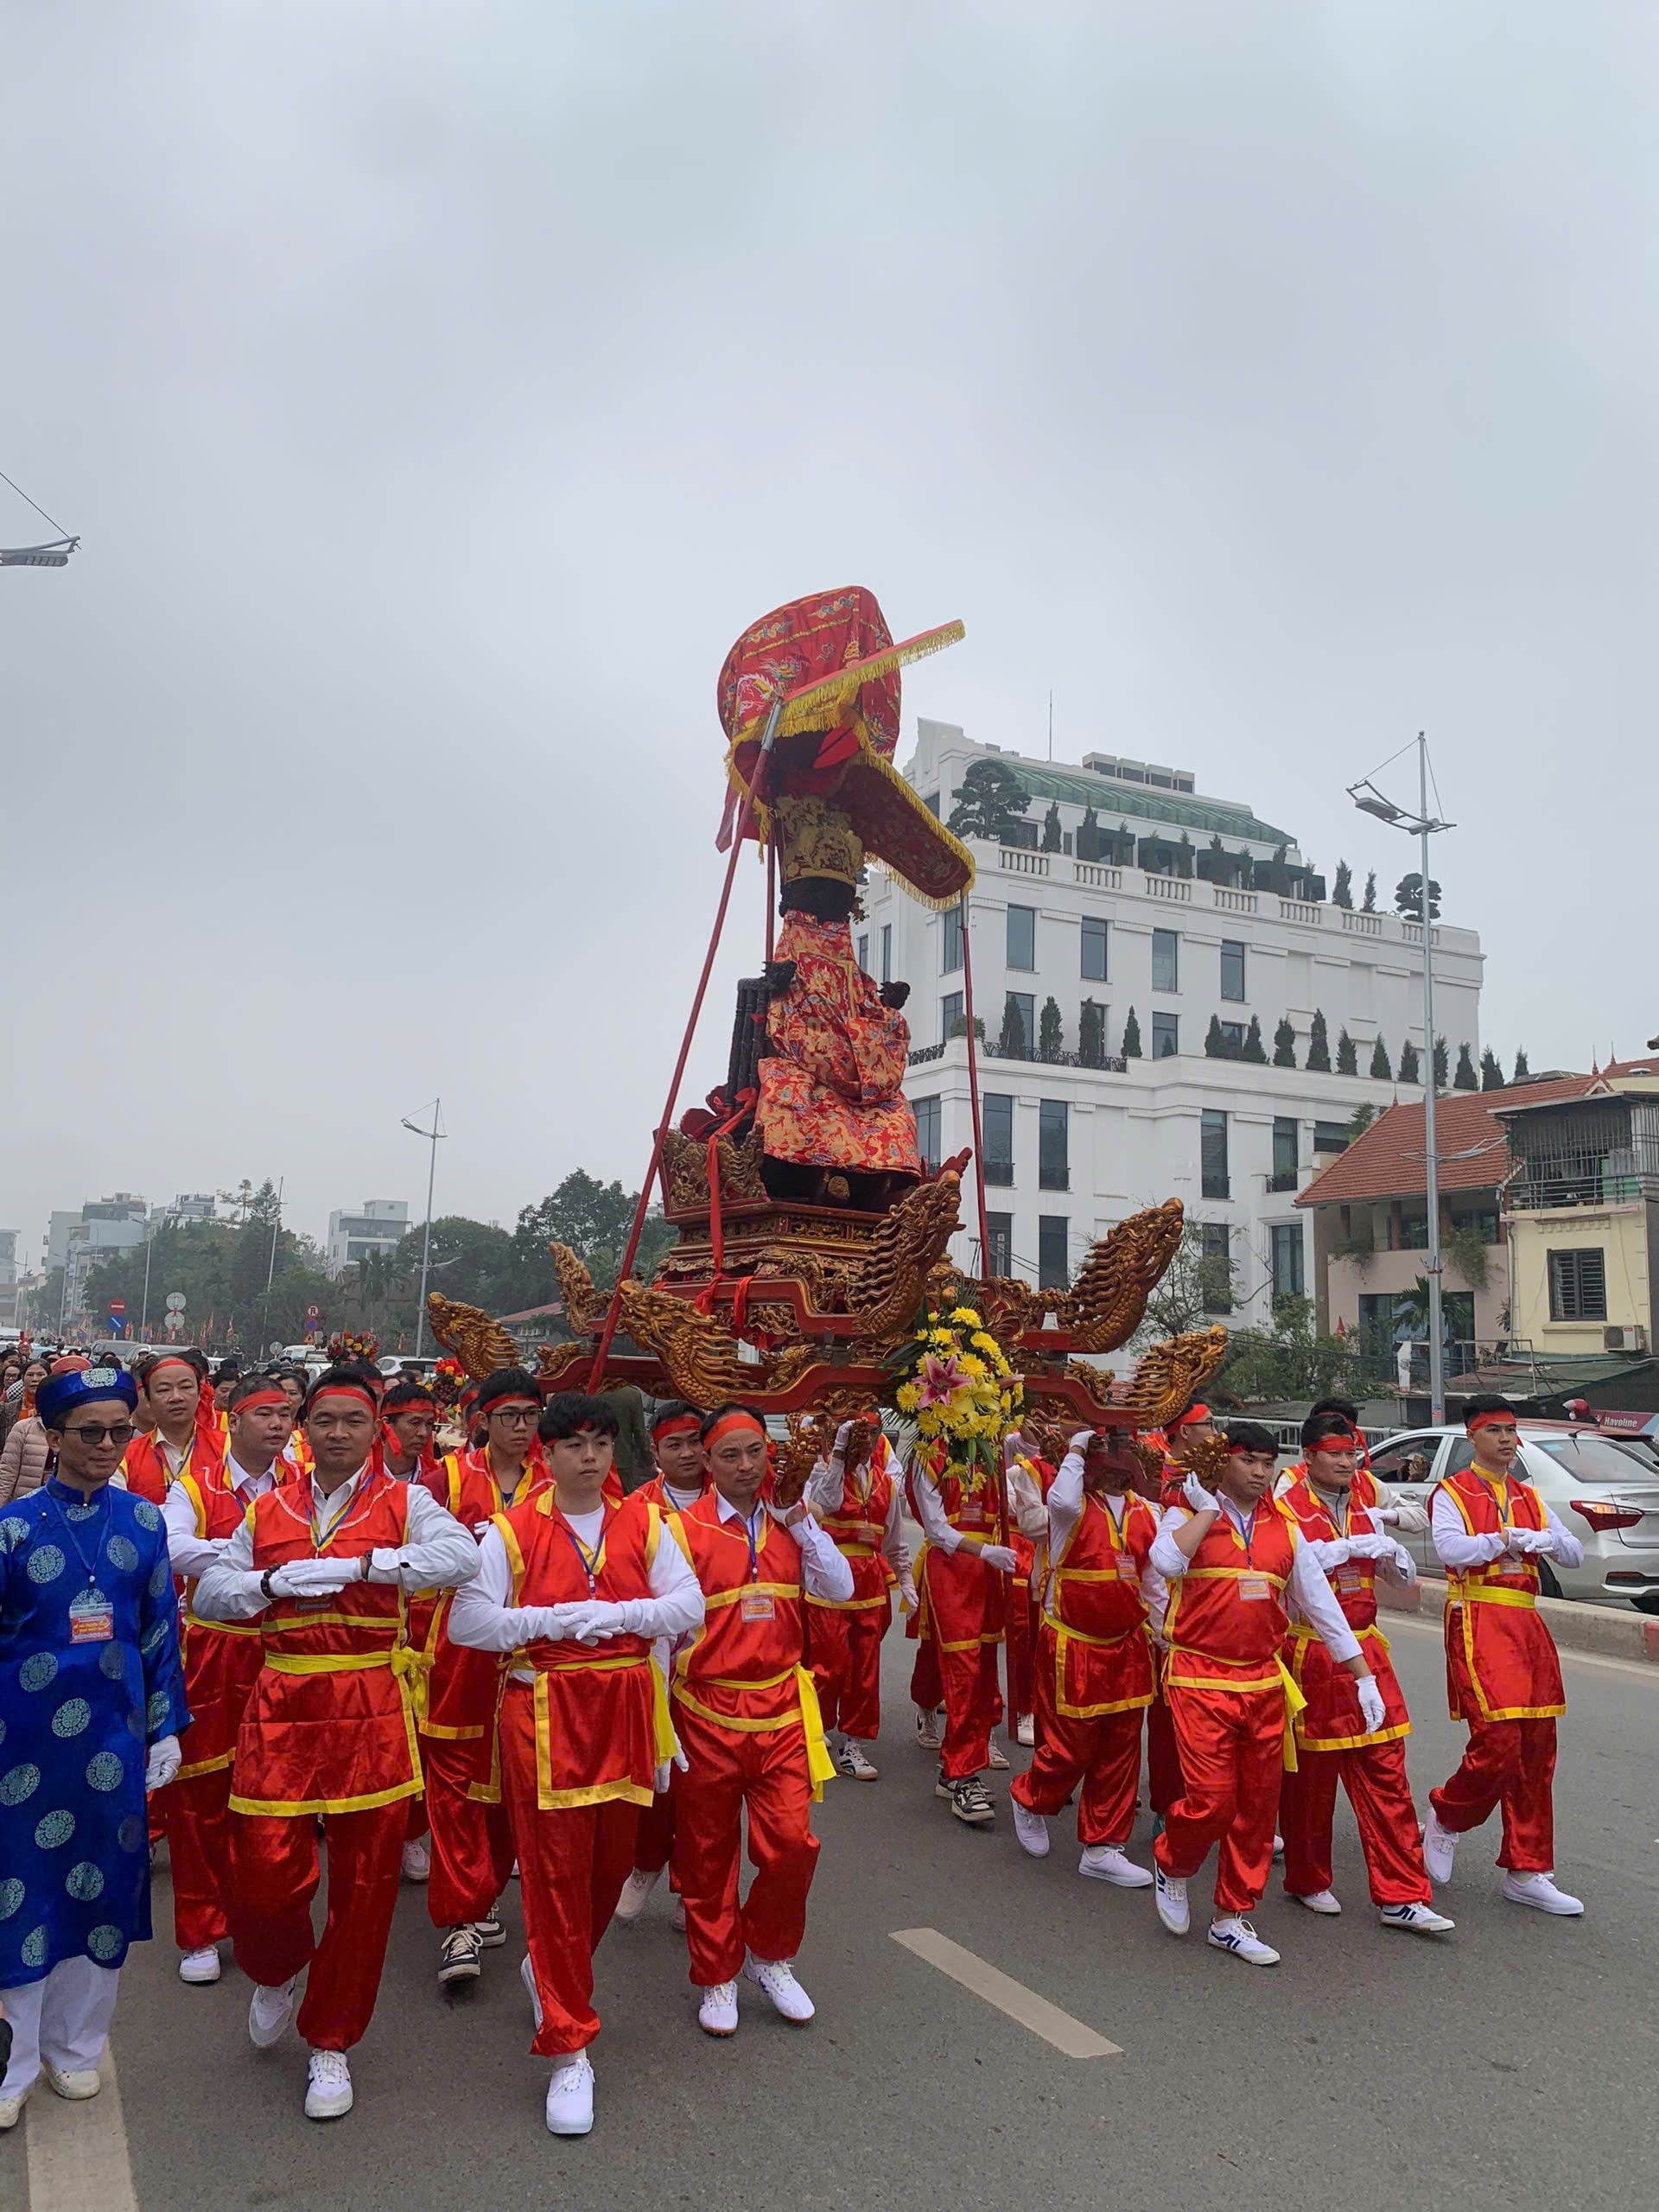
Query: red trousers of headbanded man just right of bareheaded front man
x,y
731,1771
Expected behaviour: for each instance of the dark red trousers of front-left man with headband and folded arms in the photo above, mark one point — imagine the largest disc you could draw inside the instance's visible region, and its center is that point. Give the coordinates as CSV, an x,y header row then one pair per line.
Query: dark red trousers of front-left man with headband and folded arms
x,y
275,1872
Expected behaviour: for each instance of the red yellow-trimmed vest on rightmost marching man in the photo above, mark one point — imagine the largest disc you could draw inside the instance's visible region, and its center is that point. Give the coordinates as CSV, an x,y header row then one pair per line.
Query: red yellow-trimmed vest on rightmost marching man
x,y
1501,1658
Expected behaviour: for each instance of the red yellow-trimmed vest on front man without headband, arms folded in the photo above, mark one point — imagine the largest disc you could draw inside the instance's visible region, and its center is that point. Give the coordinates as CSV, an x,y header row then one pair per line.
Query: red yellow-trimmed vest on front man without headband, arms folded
x,y
594,1704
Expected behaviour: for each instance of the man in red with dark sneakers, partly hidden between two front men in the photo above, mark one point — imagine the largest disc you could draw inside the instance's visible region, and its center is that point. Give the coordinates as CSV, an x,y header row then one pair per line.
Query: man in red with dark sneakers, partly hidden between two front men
x,y
472,1837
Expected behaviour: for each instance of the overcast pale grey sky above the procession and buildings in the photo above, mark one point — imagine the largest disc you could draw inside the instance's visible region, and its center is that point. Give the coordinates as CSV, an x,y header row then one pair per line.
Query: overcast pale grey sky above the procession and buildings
x,y
441,388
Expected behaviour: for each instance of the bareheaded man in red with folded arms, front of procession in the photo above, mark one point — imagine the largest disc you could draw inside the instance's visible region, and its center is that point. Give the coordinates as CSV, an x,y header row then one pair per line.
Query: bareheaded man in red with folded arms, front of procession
x,y
581,1587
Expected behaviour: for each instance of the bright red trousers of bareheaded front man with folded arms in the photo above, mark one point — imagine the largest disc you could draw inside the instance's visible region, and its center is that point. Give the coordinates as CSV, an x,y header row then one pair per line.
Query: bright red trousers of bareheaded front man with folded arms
x,y
572,1866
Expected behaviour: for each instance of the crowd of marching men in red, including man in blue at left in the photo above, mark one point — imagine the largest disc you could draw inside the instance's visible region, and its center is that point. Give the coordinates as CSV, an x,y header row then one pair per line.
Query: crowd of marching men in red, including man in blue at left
x,y
291,1625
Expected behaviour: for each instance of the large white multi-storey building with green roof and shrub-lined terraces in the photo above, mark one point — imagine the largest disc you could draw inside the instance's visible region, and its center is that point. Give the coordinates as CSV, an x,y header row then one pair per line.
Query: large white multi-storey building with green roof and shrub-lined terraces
x,y
1160,928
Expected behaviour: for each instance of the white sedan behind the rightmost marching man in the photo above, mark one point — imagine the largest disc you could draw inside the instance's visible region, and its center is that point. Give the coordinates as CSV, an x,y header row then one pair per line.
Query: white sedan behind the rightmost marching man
x,y
1605,1492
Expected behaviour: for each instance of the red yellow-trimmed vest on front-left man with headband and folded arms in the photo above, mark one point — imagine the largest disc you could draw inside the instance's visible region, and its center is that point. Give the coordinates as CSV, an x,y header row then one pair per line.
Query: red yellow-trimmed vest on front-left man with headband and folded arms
x,y
331,1726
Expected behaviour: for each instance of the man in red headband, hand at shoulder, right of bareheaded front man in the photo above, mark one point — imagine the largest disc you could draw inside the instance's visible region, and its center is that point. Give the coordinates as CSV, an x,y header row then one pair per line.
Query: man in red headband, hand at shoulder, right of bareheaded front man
x,y
749,1726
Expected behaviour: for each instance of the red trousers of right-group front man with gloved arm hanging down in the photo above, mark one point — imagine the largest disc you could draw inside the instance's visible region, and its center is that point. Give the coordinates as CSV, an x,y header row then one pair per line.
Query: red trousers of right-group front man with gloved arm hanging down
x,y
1233,1753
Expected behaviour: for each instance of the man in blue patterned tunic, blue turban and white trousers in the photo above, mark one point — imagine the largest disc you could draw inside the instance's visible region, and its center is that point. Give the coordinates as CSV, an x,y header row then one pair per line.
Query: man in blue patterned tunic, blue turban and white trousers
x,y
90,1673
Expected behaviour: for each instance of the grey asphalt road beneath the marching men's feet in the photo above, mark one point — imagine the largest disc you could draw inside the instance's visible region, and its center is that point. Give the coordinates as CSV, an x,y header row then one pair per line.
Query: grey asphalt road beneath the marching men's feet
x,y
1510,2065
